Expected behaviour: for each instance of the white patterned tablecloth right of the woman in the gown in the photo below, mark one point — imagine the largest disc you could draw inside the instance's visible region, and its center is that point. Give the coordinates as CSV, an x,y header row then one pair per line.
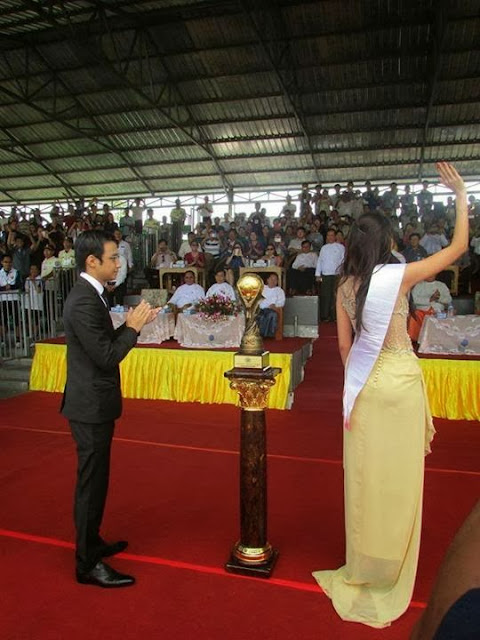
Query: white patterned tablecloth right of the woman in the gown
x,y
457,335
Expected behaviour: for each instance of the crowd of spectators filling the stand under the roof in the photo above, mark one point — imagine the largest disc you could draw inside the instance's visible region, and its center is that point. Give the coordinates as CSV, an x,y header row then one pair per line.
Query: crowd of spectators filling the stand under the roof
x,y
307,238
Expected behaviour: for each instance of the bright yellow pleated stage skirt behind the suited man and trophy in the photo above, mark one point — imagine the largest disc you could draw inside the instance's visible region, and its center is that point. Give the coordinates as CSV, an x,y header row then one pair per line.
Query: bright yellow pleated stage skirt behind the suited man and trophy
x,y
164,374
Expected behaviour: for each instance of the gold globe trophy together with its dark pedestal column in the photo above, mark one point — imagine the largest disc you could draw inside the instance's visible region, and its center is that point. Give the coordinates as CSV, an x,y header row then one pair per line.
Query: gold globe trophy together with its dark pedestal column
x,y
252,377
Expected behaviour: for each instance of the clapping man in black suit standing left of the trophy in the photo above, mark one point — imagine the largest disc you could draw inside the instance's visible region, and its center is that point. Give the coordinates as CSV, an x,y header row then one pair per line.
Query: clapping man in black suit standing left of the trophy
x,y
92,398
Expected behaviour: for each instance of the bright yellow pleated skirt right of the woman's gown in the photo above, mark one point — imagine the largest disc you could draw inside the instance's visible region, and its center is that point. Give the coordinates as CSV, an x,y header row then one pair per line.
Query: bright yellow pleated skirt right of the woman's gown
x,y
453,388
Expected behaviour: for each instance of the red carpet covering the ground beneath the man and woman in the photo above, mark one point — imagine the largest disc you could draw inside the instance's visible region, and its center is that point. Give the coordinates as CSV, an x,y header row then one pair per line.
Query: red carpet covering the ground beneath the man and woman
x,y
174,497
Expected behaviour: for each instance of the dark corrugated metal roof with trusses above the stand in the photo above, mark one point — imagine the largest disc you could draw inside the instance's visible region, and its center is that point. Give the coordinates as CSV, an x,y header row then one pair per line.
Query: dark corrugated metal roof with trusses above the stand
x,y
197,95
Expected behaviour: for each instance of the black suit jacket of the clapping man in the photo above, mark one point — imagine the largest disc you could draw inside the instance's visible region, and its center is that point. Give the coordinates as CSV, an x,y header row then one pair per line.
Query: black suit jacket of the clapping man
x,y
94,350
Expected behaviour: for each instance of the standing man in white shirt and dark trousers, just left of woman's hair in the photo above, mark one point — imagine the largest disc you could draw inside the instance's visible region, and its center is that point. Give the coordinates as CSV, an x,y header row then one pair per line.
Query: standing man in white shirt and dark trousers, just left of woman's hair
x,y
328,266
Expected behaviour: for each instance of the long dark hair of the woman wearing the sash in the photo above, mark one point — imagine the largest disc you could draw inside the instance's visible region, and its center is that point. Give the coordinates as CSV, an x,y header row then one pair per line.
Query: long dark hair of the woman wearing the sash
x,y
369,244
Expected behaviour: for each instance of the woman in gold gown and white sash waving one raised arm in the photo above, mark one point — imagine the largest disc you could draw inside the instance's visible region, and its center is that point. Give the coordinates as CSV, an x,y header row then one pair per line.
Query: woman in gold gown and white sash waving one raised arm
x,y
388,430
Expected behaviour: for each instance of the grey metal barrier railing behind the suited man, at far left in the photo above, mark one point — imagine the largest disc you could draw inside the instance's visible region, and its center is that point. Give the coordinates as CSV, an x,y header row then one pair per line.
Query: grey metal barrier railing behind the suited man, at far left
x,y
34,314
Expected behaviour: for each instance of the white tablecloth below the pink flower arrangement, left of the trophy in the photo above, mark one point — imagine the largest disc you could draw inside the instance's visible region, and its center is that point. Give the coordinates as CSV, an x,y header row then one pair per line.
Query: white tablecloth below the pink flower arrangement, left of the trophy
x,y
200,333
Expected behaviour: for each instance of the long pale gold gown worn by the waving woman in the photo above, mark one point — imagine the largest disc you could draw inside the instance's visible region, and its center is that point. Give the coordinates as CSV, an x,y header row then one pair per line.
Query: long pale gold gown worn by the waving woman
x,y
391,430
